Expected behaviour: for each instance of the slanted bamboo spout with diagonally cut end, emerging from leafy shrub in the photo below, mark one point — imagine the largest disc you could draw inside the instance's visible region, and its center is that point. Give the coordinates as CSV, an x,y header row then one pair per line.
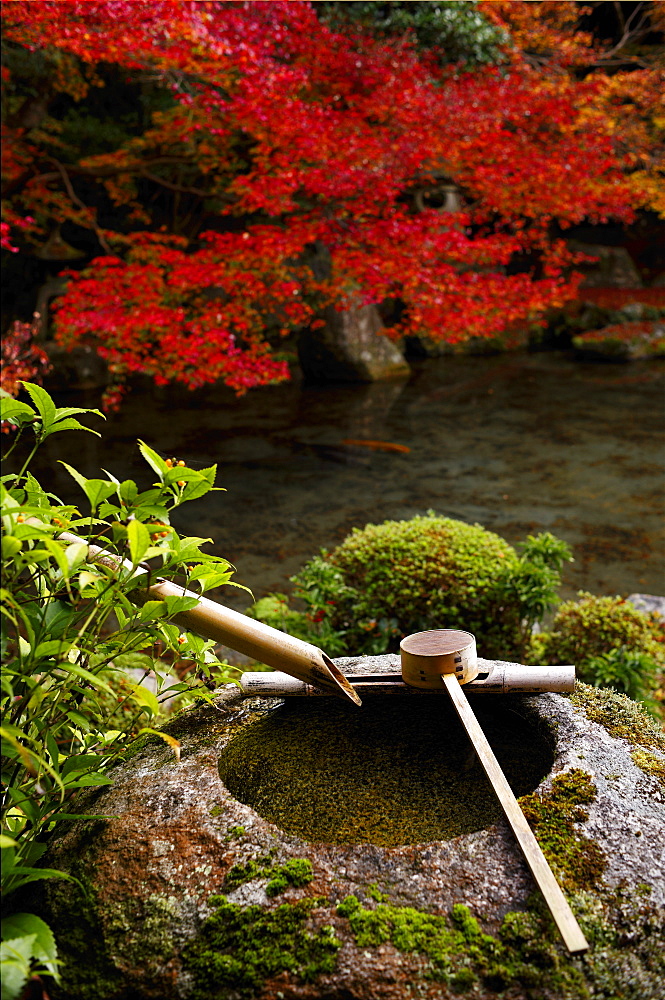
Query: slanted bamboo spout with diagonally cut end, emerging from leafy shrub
x,y
299,659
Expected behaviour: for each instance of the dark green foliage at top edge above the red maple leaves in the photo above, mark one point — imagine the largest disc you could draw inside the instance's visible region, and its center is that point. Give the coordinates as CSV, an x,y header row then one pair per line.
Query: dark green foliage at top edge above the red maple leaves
x,y
457,31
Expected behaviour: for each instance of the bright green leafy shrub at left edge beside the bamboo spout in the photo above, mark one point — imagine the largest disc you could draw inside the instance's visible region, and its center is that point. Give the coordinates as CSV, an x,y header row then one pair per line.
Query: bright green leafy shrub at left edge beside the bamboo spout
x,y
74,618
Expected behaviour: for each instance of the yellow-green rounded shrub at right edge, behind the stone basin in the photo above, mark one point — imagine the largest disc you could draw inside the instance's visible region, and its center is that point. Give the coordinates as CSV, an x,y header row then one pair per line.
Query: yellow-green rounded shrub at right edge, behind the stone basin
x,y
611,643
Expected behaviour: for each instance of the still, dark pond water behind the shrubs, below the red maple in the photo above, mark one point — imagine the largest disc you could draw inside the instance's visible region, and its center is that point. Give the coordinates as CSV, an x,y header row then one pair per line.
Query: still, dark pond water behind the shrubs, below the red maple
x,y
520,443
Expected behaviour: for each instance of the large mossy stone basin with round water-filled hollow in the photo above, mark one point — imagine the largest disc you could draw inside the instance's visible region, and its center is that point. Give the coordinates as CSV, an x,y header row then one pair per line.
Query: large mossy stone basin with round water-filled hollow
x,y
355,854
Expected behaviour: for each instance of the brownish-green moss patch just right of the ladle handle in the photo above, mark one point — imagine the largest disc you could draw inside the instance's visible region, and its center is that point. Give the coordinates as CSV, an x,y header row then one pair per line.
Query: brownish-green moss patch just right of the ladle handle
x,y
576,860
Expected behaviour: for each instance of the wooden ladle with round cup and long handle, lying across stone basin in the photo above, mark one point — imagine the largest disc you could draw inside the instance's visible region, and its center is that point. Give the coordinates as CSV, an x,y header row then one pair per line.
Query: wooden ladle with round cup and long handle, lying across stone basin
x,y
425,653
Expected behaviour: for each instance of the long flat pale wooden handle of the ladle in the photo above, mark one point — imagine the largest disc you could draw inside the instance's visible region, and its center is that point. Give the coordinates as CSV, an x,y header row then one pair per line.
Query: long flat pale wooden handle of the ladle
x,y
563,916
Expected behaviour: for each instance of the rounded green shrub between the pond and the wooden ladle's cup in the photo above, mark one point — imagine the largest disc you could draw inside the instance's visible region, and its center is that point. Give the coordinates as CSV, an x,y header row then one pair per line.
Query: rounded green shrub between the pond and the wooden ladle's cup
x,y
385,581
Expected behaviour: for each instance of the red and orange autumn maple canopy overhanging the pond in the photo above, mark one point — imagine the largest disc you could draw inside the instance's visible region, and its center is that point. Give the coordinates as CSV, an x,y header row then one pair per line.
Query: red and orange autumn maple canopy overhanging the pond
x,y
214,153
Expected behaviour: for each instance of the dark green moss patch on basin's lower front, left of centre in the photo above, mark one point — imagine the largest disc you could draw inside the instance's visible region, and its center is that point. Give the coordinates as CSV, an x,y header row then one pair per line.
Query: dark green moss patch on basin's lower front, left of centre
x,y
238,948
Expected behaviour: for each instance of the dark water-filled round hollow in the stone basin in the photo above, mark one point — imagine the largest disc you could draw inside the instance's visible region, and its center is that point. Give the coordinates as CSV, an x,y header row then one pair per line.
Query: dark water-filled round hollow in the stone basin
x,y
399,770
